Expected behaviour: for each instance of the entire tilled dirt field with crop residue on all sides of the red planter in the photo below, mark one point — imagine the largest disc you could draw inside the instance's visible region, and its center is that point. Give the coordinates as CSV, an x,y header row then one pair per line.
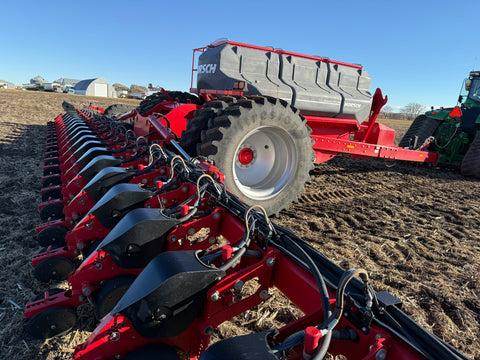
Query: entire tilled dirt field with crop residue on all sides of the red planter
x,y
415,229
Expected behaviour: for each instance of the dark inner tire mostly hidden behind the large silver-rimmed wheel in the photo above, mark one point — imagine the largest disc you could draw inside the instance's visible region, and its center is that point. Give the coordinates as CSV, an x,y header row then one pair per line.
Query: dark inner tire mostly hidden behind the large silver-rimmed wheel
x,y
192,135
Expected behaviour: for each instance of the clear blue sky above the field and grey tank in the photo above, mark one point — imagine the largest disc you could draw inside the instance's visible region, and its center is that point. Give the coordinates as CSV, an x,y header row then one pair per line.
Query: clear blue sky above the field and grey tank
x,y
415,51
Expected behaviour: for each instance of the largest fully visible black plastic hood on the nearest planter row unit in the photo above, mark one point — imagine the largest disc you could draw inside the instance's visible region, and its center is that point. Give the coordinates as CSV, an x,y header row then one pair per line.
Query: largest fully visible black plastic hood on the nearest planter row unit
x,y
168,295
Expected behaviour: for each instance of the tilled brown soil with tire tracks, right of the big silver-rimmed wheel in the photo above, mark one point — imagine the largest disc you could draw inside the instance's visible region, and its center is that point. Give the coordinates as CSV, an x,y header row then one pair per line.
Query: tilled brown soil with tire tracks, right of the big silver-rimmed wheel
x,y
414,229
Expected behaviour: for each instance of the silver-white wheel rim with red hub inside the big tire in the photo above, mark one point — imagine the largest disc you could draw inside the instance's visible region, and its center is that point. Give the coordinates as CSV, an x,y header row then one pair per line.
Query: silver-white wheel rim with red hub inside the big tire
x,y
265,162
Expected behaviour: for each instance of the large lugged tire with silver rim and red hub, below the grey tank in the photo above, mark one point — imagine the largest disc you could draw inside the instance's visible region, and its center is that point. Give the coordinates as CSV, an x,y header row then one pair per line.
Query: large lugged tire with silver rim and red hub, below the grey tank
x,y
263,147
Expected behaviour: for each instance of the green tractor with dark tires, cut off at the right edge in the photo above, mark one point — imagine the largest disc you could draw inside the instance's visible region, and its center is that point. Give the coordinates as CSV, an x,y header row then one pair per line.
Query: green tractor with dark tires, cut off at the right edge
x,y
453,132
